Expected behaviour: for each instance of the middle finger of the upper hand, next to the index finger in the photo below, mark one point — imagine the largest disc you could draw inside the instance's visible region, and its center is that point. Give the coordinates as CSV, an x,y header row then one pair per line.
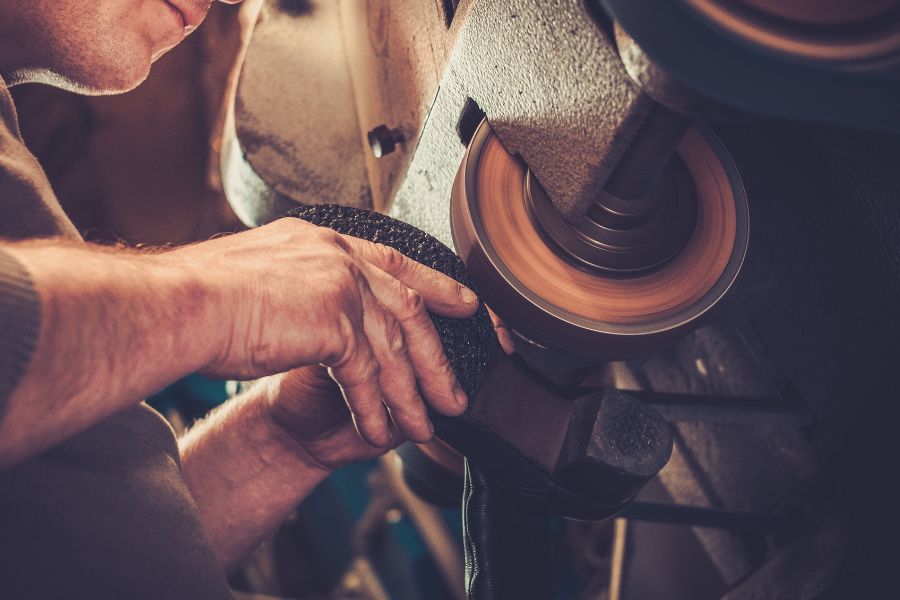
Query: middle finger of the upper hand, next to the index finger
x,y
424,353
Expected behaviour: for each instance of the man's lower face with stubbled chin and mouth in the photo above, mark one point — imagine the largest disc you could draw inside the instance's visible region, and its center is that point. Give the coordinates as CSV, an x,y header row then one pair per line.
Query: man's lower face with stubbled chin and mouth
x,y
92,46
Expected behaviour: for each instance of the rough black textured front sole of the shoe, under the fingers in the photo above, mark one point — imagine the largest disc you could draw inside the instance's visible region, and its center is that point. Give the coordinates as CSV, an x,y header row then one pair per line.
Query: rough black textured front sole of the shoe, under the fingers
x,y
468,343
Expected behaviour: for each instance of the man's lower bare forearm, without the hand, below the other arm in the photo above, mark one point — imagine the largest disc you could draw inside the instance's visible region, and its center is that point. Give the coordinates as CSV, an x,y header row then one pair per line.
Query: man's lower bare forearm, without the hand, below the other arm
x,y
245,473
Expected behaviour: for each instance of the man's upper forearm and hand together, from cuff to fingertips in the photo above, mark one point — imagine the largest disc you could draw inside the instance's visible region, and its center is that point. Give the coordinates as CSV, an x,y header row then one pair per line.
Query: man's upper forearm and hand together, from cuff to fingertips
x,y
117,325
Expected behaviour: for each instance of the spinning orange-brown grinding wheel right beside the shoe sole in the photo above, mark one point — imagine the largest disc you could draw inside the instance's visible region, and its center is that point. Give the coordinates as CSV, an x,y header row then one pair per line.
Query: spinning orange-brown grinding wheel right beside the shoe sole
x,y
554,302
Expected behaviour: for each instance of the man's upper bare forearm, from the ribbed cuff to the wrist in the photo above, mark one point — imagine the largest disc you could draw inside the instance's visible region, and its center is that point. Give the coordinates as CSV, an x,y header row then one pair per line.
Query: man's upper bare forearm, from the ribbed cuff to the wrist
x,y
115,326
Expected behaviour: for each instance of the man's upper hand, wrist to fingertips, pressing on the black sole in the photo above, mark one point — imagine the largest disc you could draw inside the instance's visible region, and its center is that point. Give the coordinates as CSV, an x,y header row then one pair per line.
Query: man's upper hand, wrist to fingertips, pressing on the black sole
x,y
296,294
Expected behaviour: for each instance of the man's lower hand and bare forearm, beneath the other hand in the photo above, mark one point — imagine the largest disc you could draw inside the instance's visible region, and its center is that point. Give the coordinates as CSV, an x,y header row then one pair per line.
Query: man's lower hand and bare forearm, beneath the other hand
x,y
254,459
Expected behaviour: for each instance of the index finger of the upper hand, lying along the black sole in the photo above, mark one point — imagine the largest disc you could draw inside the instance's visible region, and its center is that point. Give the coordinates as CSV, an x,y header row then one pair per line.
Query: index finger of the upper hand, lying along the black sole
x,y
443,295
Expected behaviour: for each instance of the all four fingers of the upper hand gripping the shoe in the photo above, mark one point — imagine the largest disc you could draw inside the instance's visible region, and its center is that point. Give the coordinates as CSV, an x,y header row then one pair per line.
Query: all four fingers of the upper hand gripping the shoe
x,y
398,357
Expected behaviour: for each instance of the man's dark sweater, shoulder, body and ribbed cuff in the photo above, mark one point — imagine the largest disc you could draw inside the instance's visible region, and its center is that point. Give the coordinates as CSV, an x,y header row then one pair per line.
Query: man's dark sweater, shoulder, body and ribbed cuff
x,y
105,514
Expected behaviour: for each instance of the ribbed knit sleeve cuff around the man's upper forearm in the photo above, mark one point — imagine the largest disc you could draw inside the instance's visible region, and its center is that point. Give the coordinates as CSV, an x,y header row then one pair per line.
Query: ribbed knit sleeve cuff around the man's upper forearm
x,y
20,321
